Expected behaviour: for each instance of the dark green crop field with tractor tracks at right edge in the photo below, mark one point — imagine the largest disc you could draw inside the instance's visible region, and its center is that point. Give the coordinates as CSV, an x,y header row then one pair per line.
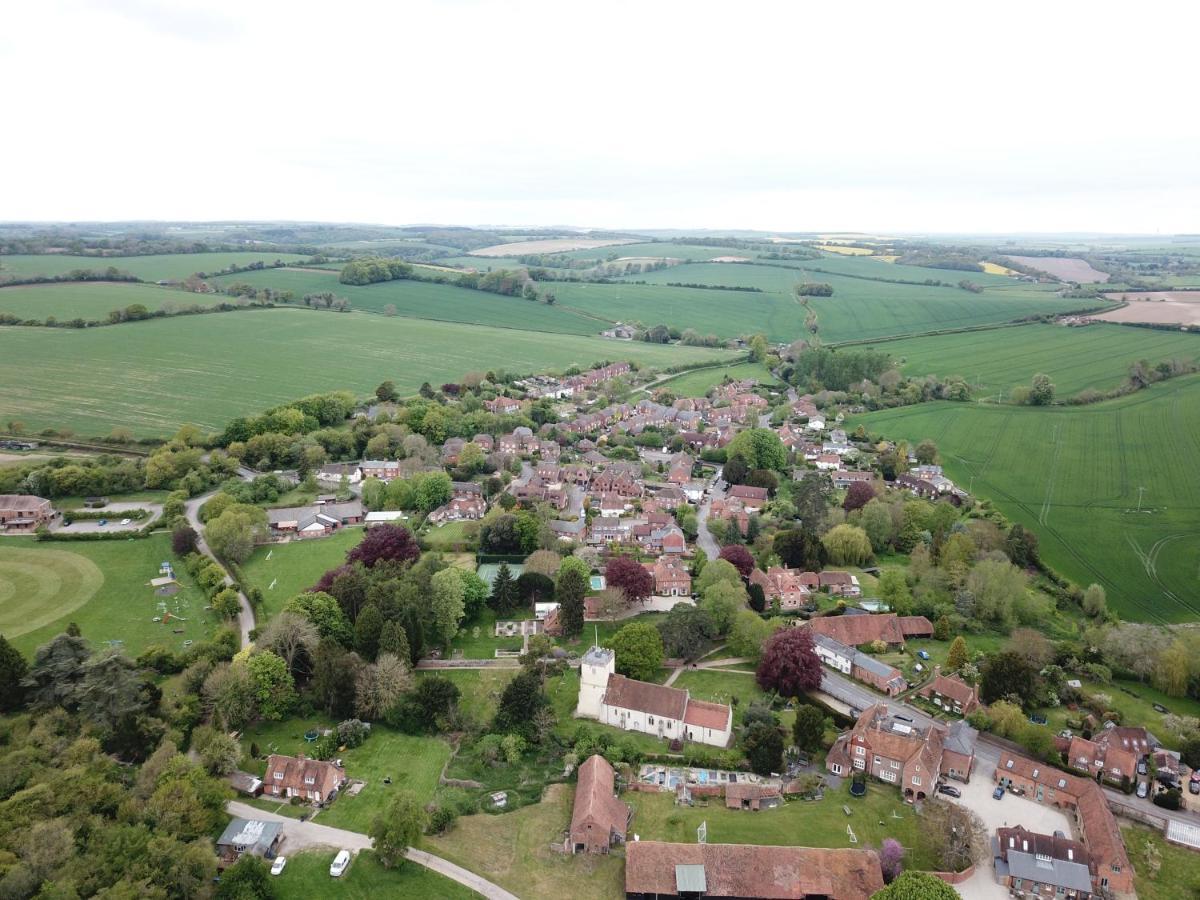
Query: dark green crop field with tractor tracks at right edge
x,y
1109,489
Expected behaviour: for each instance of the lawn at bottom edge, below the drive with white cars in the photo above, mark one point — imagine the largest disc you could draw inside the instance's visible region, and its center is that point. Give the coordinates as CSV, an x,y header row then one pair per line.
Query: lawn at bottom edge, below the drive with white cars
x,y
307,878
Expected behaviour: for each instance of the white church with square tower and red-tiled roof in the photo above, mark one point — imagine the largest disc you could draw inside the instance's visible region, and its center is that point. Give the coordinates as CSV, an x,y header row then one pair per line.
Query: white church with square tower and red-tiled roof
x,y
669,713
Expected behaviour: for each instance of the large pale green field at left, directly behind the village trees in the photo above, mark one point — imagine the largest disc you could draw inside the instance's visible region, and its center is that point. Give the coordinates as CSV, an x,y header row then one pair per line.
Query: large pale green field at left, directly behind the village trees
x,y
155,376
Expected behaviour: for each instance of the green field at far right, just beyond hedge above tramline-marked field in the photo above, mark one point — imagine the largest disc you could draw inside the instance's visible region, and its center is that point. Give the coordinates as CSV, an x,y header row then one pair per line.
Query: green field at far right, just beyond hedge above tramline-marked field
x,y
1075,358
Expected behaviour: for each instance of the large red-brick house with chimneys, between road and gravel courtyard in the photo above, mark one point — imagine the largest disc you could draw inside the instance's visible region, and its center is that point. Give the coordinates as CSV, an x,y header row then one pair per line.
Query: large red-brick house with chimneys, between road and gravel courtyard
x,y
898,751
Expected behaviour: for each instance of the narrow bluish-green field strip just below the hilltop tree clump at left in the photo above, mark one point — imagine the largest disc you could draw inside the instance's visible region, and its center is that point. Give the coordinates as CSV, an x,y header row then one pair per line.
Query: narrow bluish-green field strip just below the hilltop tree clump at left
x,y
423,301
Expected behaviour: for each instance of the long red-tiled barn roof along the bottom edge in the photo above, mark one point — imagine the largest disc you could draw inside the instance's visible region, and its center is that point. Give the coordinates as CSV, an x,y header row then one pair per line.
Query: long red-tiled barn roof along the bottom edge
x,y
658,871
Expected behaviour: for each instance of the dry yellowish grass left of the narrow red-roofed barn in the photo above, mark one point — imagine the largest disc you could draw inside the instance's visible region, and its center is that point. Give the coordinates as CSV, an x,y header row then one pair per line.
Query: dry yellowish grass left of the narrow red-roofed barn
x,y
514,851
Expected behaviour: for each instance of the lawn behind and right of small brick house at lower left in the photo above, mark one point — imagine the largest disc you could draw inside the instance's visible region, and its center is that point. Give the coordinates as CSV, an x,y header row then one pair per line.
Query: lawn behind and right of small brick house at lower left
x,y
415,764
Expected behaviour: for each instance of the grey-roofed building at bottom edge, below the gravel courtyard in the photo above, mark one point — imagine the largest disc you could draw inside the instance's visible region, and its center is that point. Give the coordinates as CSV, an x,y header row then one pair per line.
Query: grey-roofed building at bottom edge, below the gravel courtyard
x,y
1042,866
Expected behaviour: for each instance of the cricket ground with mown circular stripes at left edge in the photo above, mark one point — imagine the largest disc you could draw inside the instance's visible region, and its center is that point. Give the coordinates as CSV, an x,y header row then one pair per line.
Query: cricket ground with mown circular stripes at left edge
x,y
104,586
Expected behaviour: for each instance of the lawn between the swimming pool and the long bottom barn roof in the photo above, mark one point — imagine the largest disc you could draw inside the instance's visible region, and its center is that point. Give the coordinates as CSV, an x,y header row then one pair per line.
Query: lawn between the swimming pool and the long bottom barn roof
x,y
807,824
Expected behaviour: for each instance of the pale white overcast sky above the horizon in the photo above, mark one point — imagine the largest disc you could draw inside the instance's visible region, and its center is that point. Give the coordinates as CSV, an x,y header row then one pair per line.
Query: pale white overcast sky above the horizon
x,y
791,116
